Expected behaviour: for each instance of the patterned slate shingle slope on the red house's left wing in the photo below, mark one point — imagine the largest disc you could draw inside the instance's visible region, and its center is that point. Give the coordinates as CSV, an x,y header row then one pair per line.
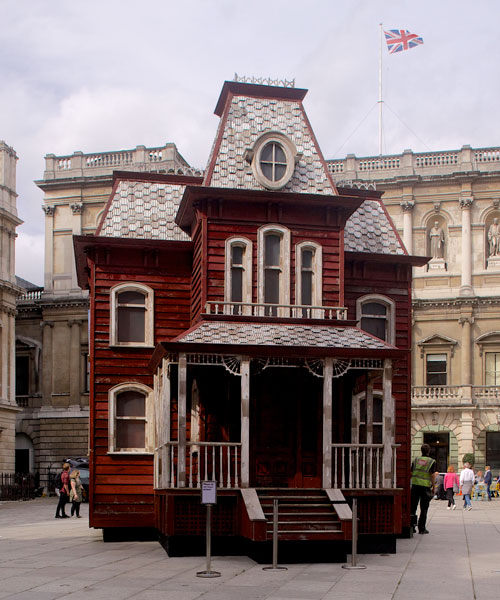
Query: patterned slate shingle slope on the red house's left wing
x,y
144,210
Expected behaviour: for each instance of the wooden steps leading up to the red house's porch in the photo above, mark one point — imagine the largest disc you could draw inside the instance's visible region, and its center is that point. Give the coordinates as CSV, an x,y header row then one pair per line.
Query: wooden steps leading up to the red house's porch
x,y
303,514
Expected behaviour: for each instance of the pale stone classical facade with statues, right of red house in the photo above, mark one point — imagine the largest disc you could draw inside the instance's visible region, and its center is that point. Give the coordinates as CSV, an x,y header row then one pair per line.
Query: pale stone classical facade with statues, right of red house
x,y
446,205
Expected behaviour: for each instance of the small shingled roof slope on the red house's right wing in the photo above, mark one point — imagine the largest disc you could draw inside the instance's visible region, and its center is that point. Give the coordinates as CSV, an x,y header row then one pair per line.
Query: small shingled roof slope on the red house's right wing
x,y
369,230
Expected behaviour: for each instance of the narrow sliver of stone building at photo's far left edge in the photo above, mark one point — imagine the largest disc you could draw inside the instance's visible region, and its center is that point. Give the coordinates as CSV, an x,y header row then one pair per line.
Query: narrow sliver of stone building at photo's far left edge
x,y
8,294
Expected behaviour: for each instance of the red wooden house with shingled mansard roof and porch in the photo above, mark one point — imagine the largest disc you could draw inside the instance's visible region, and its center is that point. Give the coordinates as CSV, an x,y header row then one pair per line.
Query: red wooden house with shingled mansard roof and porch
x,y
250,327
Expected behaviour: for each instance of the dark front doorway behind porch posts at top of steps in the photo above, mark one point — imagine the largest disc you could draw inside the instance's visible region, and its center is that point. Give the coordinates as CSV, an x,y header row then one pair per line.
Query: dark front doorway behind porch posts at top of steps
x,y
286,428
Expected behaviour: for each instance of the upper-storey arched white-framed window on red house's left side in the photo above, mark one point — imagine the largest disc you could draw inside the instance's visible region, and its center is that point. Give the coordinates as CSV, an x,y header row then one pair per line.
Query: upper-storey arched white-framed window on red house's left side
x,y
131,322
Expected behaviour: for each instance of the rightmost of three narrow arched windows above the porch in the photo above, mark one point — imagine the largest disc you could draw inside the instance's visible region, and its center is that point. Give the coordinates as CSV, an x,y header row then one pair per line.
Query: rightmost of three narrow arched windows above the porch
x,y
308,277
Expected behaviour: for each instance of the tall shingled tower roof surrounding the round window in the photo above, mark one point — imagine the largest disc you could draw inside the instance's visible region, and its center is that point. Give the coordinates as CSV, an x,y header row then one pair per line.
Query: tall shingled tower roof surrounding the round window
x,y
248,119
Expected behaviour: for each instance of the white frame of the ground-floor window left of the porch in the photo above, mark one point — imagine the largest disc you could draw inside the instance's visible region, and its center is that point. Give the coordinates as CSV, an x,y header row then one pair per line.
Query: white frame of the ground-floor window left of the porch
x,y
148,417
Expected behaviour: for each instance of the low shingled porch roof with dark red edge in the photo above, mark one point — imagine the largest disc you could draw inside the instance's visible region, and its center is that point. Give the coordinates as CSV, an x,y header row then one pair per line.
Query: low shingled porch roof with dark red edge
x,y
230,337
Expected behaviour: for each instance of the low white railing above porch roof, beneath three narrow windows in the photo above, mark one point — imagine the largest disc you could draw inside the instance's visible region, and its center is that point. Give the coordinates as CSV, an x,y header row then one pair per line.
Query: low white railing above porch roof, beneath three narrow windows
x,y
295,311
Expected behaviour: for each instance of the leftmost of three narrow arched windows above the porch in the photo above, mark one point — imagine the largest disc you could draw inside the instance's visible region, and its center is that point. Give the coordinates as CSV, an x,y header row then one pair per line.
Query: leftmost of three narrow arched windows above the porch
x,y
238,284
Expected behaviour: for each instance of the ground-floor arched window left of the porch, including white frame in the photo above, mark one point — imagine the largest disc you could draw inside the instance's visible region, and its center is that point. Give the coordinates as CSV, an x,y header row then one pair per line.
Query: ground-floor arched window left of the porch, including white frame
x,y
130,418
